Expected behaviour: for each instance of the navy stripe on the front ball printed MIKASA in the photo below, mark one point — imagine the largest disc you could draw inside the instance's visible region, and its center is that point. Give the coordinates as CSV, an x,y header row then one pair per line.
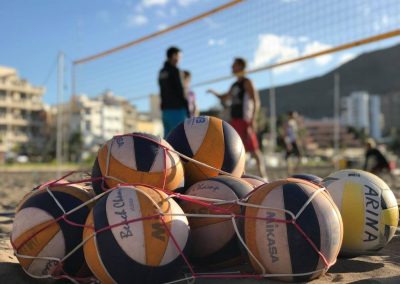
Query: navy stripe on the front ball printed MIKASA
x,y
294,199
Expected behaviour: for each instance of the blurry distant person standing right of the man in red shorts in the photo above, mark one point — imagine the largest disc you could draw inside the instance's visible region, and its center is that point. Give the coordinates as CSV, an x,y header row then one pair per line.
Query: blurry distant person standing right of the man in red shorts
x,y
291,130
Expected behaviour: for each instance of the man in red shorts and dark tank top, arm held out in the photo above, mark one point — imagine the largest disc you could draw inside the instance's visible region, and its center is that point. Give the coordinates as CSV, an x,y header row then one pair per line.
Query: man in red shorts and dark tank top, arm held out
x,y
244,108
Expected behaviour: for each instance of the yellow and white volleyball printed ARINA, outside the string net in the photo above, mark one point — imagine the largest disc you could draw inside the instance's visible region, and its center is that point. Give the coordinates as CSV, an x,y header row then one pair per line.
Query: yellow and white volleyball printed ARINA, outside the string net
x,y
369,210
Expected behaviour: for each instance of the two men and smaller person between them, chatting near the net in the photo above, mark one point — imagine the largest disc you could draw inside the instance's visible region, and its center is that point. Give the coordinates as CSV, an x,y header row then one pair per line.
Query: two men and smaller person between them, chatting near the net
x,y
178,102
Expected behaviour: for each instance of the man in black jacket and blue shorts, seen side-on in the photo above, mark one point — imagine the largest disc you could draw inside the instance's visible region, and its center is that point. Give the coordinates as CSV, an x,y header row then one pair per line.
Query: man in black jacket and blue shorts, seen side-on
x,y
174,105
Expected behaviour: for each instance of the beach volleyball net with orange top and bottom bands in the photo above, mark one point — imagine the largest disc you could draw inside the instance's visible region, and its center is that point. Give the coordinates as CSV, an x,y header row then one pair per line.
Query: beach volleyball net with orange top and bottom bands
x,y
294,39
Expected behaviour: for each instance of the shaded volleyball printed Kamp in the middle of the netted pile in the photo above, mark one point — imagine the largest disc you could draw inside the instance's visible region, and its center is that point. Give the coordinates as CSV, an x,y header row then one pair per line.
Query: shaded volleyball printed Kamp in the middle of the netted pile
x,y
214,240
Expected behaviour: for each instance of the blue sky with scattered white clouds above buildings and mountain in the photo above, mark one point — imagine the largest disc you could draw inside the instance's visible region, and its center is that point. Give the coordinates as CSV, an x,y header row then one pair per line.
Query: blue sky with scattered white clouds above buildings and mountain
x,y
263,32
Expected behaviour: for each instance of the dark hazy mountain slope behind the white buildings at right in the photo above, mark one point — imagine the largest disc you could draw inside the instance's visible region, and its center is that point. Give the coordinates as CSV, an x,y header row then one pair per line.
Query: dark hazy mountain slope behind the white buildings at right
x,y
375,72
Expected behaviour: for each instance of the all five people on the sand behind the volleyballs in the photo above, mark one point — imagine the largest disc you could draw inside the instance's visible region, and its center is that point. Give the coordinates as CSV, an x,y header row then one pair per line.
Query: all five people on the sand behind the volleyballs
x,y
178,103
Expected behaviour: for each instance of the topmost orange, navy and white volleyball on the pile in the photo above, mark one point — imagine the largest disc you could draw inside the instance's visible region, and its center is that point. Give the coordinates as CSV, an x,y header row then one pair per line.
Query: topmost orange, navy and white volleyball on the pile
x,y
211,141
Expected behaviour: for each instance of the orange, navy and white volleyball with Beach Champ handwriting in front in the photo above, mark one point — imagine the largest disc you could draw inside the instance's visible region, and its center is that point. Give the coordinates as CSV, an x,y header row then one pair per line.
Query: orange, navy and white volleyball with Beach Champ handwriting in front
x,y
127,241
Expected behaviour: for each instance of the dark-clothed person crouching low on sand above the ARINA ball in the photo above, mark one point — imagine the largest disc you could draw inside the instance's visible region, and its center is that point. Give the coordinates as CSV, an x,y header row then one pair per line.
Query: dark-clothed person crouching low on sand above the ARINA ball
x,y
375,161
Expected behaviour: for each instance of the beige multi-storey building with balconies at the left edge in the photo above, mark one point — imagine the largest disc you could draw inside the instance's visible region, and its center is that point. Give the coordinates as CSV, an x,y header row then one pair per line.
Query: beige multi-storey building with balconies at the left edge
x,y
21,110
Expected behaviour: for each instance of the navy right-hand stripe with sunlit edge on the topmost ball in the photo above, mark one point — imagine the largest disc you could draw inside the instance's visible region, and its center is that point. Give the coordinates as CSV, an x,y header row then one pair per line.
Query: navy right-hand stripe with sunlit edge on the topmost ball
x,y
233,152
